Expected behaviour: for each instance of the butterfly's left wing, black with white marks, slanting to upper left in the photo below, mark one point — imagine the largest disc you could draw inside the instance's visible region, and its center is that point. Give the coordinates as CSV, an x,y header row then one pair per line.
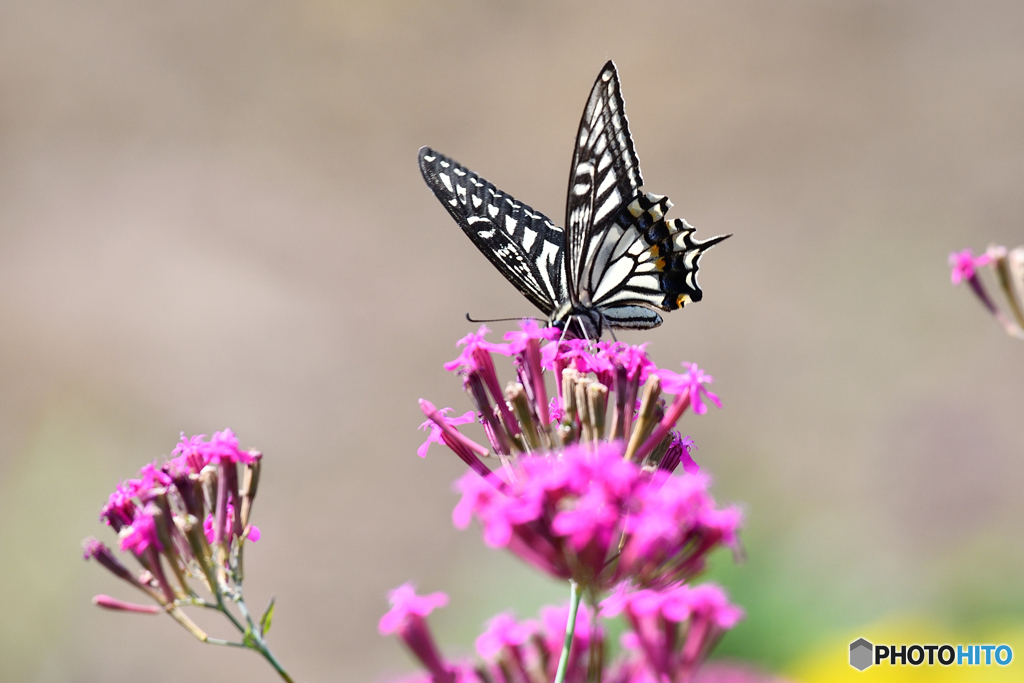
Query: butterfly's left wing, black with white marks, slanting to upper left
x,y
523,244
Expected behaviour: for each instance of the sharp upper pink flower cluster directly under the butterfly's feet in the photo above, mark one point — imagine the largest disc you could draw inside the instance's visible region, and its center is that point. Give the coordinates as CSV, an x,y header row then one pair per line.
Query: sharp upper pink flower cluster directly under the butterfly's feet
x,y
598,398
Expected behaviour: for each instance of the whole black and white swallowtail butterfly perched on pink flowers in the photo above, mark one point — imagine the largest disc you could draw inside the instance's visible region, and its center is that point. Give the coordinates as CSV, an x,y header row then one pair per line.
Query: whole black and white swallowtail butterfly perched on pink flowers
x,y
618,260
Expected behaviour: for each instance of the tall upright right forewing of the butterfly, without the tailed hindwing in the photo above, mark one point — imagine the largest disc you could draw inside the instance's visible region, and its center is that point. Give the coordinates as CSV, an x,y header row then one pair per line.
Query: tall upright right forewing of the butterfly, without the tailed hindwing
x,y
605,178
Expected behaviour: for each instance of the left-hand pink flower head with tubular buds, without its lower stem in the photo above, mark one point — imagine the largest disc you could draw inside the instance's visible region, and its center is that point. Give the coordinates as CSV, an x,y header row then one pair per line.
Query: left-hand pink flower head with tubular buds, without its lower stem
x,y
180,520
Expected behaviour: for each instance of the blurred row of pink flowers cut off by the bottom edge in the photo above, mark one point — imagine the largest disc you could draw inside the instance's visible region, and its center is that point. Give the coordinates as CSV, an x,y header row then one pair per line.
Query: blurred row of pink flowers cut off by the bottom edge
x,y
670,634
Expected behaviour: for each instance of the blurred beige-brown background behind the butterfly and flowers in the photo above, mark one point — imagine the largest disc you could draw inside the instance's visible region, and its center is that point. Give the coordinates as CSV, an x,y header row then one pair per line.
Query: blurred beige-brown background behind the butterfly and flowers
x,y
211,217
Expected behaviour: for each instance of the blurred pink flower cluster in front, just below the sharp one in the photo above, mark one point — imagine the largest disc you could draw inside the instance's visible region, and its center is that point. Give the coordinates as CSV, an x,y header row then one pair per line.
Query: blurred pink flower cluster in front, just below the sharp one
x,y
592,517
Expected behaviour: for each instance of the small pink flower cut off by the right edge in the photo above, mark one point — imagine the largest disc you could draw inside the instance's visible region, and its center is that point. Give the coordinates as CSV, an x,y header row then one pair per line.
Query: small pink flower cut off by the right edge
x,y
1009,269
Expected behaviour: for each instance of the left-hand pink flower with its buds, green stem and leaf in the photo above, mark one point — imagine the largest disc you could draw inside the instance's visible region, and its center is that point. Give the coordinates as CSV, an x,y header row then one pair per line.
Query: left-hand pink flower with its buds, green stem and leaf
x,y
186,523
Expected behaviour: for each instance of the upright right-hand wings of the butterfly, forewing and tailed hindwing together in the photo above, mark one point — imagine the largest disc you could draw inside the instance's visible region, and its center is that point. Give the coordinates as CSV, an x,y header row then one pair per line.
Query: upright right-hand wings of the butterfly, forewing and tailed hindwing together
x,y
625,259
